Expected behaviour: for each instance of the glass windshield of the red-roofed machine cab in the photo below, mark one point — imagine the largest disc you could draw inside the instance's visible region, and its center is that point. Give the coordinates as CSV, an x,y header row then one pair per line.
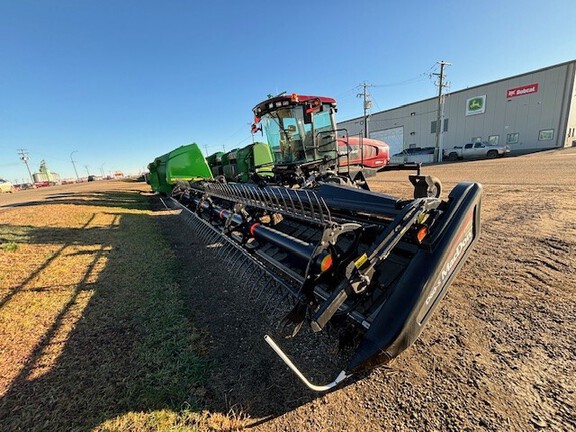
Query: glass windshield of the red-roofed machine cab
x,y
293,140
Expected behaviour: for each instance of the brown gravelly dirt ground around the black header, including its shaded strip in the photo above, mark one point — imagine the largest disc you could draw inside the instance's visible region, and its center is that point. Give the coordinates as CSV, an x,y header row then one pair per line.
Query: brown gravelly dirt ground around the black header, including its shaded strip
x,y
499,354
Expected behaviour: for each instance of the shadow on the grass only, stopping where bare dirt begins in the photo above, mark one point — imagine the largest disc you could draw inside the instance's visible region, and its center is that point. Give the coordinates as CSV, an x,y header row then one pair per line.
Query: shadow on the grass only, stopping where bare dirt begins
x,y
132,349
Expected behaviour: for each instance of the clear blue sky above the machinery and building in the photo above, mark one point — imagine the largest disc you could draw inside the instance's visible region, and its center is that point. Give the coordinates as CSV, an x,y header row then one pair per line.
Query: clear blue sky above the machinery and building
x,y
121,82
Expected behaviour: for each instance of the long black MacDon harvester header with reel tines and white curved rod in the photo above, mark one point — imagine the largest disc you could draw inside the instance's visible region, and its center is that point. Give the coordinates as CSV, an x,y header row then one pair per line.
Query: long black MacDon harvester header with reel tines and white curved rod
x,y
363,268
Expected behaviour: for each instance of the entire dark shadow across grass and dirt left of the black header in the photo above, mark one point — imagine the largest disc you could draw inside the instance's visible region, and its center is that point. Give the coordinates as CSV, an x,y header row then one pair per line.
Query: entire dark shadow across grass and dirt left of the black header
x,y
136,345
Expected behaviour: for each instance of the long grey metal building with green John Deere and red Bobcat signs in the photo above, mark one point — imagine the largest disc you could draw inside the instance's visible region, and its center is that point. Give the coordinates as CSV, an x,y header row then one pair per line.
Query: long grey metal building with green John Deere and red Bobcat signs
x,y
529,112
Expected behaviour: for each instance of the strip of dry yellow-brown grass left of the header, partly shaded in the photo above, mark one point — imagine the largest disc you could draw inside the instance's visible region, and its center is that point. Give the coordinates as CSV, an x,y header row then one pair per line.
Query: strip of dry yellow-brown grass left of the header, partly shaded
x,y
95,332
